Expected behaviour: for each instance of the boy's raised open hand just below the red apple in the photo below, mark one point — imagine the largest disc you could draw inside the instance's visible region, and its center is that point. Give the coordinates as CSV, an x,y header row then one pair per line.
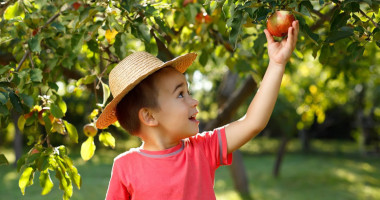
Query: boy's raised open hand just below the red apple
x,y
280,52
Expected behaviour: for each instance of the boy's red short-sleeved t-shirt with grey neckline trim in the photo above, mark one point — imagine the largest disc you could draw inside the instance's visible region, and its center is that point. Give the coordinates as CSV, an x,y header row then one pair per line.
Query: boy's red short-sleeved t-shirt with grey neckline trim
x,y
185,171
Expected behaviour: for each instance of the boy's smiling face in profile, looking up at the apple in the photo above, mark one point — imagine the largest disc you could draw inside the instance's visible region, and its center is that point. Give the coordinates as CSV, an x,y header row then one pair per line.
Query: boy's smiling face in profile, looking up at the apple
x,y
177,109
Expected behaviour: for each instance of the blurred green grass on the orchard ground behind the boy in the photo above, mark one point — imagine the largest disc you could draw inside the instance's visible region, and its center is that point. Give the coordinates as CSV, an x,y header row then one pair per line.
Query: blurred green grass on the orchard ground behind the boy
x,y
336,171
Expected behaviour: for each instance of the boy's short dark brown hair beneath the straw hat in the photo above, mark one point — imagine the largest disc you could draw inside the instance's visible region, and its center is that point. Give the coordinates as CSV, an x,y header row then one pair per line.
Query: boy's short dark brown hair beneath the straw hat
x,y
143,95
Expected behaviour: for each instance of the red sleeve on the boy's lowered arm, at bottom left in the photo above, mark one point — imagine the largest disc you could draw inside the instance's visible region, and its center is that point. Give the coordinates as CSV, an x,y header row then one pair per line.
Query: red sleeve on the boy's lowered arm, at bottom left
x,y
116,188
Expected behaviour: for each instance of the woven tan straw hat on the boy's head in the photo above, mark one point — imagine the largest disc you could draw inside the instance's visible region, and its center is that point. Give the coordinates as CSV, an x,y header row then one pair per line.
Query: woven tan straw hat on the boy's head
x,y
131,71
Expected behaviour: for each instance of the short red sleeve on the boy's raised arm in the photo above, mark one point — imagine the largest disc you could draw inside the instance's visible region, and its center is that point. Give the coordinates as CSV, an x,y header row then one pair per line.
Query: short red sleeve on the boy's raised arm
x,y
214,144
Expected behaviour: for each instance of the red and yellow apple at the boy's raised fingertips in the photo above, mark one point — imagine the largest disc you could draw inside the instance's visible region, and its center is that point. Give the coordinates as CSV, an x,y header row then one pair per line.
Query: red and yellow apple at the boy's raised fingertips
x,y
279,22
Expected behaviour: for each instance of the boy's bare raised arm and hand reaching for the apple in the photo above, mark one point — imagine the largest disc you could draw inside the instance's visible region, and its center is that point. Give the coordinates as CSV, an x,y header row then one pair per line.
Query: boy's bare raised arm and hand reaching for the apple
x,y
261,107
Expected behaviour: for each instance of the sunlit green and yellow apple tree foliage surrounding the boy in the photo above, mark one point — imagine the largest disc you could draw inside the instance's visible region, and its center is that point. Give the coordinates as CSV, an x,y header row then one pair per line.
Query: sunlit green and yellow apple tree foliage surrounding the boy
x,y
55,57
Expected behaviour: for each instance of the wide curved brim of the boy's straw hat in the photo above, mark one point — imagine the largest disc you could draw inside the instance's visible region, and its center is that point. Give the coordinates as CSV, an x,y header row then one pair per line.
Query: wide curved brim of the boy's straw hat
x,y
108,116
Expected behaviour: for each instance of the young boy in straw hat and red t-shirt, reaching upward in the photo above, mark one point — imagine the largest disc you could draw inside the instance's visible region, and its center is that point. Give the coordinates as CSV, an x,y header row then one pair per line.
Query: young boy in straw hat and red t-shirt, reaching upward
x,y
152,102
